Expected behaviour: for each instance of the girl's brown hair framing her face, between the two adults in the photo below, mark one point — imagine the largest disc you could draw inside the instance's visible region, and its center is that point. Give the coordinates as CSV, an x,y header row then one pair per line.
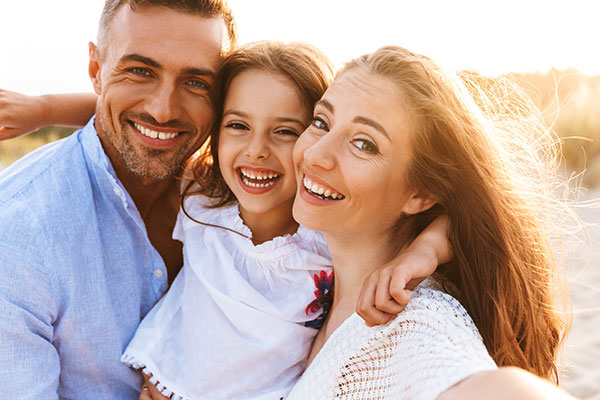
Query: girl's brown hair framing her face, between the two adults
x,y
304,65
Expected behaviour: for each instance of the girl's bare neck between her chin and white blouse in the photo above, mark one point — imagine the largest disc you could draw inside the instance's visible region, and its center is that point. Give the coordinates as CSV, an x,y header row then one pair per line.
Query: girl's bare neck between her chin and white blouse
x,y
268,225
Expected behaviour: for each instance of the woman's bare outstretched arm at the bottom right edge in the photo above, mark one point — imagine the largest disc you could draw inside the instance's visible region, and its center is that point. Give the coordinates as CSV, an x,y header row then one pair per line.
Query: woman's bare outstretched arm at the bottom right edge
x,y
505,383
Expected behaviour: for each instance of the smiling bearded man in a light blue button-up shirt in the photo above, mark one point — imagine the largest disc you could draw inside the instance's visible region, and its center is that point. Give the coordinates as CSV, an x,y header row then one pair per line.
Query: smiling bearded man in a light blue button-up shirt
x,y
85,223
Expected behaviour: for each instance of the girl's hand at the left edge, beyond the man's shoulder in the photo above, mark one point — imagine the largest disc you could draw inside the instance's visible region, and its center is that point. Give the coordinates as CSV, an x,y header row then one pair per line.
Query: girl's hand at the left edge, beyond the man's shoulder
x,y
20,114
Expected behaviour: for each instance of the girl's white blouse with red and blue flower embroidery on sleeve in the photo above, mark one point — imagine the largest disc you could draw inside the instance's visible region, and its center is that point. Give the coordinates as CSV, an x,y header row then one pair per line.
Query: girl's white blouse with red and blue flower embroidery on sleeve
x,y
236,322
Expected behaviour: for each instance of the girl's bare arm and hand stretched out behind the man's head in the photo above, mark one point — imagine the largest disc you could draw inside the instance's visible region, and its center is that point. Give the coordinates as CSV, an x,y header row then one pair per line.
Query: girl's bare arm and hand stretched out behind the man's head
x,y
21,114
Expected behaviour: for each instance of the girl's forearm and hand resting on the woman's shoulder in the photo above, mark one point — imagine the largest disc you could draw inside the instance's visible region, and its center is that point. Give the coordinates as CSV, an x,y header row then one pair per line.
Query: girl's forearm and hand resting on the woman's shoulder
x,y
387,290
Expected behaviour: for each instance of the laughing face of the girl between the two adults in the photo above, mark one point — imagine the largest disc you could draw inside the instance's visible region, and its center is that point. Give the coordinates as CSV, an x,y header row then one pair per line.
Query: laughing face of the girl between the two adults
x,y
263,115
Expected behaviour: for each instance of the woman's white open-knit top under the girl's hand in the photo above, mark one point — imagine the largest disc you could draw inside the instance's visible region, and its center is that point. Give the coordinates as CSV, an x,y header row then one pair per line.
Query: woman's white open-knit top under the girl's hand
x,y
429,347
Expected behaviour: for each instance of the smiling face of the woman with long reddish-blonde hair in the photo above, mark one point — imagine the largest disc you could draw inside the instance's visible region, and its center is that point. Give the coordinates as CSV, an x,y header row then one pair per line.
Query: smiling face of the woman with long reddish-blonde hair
x,y
351,161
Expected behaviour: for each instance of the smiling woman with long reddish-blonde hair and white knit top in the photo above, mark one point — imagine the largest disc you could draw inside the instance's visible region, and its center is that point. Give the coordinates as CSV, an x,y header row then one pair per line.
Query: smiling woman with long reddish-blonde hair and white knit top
x,y
398,142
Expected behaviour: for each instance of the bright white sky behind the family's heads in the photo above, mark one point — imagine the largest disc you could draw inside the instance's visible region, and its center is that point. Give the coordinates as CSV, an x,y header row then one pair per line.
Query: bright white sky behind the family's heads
x,y
43,44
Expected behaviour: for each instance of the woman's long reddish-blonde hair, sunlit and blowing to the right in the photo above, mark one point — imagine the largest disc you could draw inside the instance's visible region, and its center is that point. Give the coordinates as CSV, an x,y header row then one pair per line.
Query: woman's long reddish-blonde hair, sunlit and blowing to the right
x,y
475,158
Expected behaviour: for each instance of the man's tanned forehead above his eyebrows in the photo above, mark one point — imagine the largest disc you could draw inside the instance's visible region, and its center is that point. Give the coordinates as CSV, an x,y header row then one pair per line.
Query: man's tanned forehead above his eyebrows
x,y
154,29
